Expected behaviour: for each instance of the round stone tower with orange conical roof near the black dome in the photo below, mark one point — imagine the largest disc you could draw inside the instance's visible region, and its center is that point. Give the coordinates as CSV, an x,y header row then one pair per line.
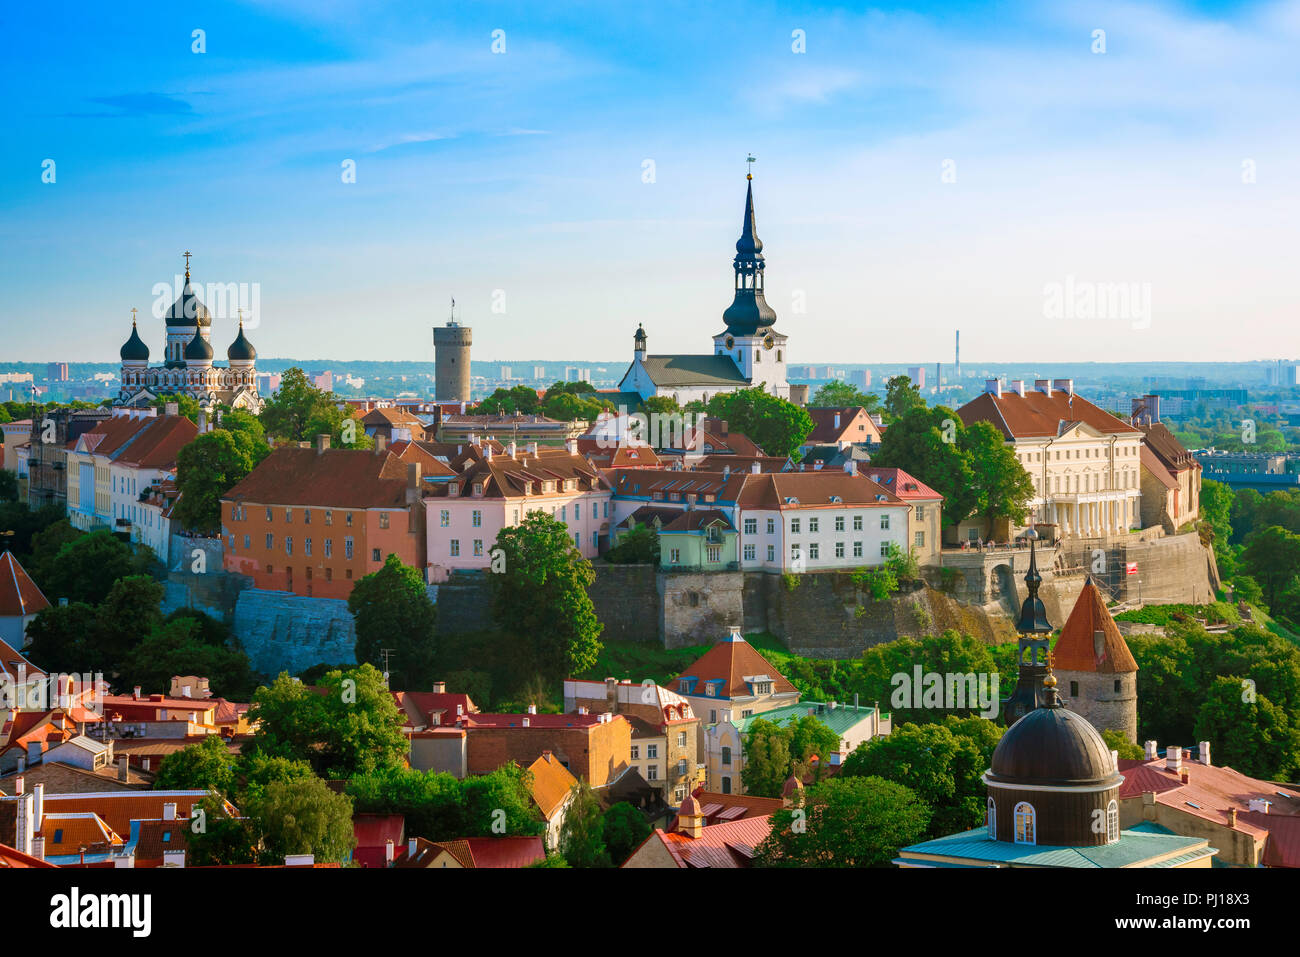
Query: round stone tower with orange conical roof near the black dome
x,y
1098,673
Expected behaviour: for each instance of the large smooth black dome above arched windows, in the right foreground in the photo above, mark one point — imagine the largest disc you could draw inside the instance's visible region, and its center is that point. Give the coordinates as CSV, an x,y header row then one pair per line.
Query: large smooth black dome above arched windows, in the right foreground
x,y
1054,747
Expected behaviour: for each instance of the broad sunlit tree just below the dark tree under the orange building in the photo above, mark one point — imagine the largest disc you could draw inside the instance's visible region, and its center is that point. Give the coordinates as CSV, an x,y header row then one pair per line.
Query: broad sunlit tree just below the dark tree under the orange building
x,y
348,728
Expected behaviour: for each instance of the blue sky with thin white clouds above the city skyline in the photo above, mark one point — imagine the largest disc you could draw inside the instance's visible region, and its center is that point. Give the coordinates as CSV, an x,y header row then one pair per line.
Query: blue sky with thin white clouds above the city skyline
x,y
569,171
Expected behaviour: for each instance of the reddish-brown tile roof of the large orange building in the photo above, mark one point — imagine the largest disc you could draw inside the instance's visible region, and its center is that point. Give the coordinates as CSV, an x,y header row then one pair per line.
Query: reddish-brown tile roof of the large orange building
x,y
332,479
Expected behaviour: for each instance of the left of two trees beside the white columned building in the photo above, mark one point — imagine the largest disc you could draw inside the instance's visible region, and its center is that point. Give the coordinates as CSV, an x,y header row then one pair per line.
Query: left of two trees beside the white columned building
x,y
928,443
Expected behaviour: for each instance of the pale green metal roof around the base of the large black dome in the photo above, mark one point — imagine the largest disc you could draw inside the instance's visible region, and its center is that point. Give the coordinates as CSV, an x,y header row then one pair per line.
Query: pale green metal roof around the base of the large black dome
x,y
1134,848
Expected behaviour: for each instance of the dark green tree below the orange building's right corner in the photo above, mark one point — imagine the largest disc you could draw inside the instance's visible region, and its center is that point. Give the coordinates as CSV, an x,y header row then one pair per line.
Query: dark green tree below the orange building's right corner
x,y
392,609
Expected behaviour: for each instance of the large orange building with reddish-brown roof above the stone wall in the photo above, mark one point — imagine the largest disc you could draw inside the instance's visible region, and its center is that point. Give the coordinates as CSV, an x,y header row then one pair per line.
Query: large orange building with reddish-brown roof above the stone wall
x,y
315,521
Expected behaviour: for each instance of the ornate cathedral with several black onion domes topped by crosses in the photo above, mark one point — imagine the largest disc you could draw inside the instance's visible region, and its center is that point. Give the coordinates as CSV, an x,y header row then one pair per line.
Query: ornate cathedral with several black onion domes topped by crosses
x,y
188,369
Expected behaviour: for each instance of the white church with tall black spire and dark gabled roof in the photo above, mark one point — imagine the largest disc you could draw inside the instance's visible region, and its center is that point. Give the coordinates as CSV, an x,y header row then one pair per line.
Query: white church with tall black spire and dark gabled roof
x,y
748,353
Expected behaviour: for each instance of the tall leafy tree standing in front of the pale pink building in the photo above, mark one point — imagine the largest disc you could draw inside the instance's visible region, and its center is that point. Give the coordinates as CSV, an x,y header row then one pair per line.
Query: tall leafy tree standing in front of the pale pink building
x,y
558,618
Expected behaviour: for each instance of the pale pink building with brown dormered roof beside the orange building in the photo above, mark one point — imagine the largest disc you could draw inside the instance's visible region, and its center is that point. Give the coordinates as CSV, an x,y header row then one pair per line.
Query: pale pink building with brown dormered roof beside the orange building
x,y
496,491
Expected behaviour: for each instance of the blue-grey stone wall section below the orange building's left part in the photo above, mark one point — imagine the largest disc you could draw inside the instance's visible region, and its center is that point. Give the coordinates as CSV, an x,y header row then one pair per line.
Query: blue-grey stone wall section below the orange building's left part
x,y
281,631
